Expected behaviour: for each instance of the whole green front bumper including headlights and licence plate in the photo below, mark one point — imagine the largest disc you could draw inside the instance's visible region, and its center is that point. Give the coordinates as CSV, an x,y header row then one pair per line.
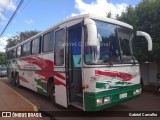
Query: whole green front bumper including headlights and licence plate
x,y
105,99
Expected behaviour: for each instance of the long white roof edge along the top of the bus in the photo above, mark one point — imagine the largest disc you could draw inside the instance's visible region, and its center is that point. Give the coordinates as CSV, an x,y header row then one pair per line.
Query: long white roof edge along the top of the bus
x,y
92,16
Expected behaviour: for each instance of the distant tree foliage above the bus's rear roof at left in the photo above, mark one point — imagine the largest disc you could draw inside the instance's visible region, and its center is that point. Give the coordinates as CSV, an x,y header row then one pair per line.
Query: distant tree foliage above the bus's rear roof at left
x,y
18,38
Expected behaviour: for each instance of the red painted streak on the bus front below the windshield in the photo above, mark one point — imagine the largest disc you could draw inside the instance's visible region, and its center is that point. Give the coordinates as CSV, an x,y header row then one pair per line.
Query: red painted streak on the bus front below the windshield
x,y
121,75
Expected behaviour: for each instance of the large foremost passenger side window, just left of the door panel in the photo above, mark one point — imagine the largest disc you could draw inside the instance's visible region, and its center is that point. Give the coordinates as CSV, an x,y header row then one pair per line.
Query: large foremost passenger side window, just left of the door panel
x,y
48,42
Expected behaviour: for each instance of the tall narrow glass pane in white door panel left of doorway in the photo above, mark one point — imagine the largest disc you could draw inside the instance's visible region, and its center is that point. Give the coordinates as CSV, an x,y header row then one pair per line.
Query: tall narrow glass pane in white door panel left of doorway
x,y
59,47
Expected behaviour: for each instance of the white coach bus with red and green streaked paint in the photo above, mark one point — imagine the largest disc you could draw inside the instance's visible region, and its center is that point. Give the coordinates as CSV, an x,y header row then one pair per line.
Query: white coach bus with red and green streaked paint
x,y
86,61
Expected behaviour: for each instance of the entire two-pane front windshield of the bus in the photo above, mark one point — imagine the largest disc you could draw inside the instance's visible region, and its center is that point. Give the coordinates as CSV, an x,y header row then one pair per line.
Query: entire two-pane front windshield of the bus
x,y
113,45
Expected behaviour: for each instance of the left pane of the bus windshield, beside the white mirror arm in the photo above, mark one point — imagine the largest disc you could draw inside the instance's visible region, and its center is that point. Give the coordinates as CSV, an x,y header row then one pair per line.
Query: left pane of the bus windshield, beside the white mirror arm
x,y
107,48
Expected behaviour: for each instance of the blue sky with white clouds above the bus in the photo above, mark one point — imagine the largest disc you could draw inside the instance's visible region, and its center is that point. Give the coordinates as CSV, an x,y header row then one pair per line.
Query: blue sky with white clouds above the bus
x,y
42,14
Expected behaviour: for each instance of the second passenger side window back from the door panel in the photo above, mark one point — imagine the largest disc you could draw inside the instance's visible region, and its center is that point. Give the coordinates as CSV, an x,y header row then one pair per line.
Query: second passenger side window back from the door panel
x,y
36,46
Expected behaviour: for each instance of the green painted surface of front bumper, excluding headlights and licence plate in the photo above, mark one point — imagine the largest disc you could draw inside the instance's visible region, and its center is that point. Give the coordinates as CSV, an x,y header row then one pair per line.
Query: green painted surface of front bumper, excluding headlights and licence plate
x,y
90,98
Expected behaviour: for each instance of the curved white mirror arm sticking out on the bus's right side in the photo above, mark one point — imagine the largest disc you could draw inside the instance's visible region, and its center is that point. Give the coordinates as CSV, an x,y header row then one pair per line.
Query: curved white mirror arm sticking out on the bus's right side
x,y
148,38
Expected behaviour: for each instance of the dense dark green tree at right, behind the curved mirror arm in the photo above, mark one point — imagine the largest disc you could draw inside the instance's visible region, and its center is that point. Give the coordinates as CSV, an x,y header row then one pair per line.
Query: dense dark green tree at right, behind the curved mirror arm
x,y
145,17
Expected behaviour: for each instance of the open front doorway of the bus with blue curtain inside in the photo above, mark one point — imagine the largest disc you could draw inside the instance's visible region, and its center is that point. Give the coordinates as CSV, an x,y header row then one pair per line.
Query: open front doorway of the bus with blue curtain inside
x,y
74,66
